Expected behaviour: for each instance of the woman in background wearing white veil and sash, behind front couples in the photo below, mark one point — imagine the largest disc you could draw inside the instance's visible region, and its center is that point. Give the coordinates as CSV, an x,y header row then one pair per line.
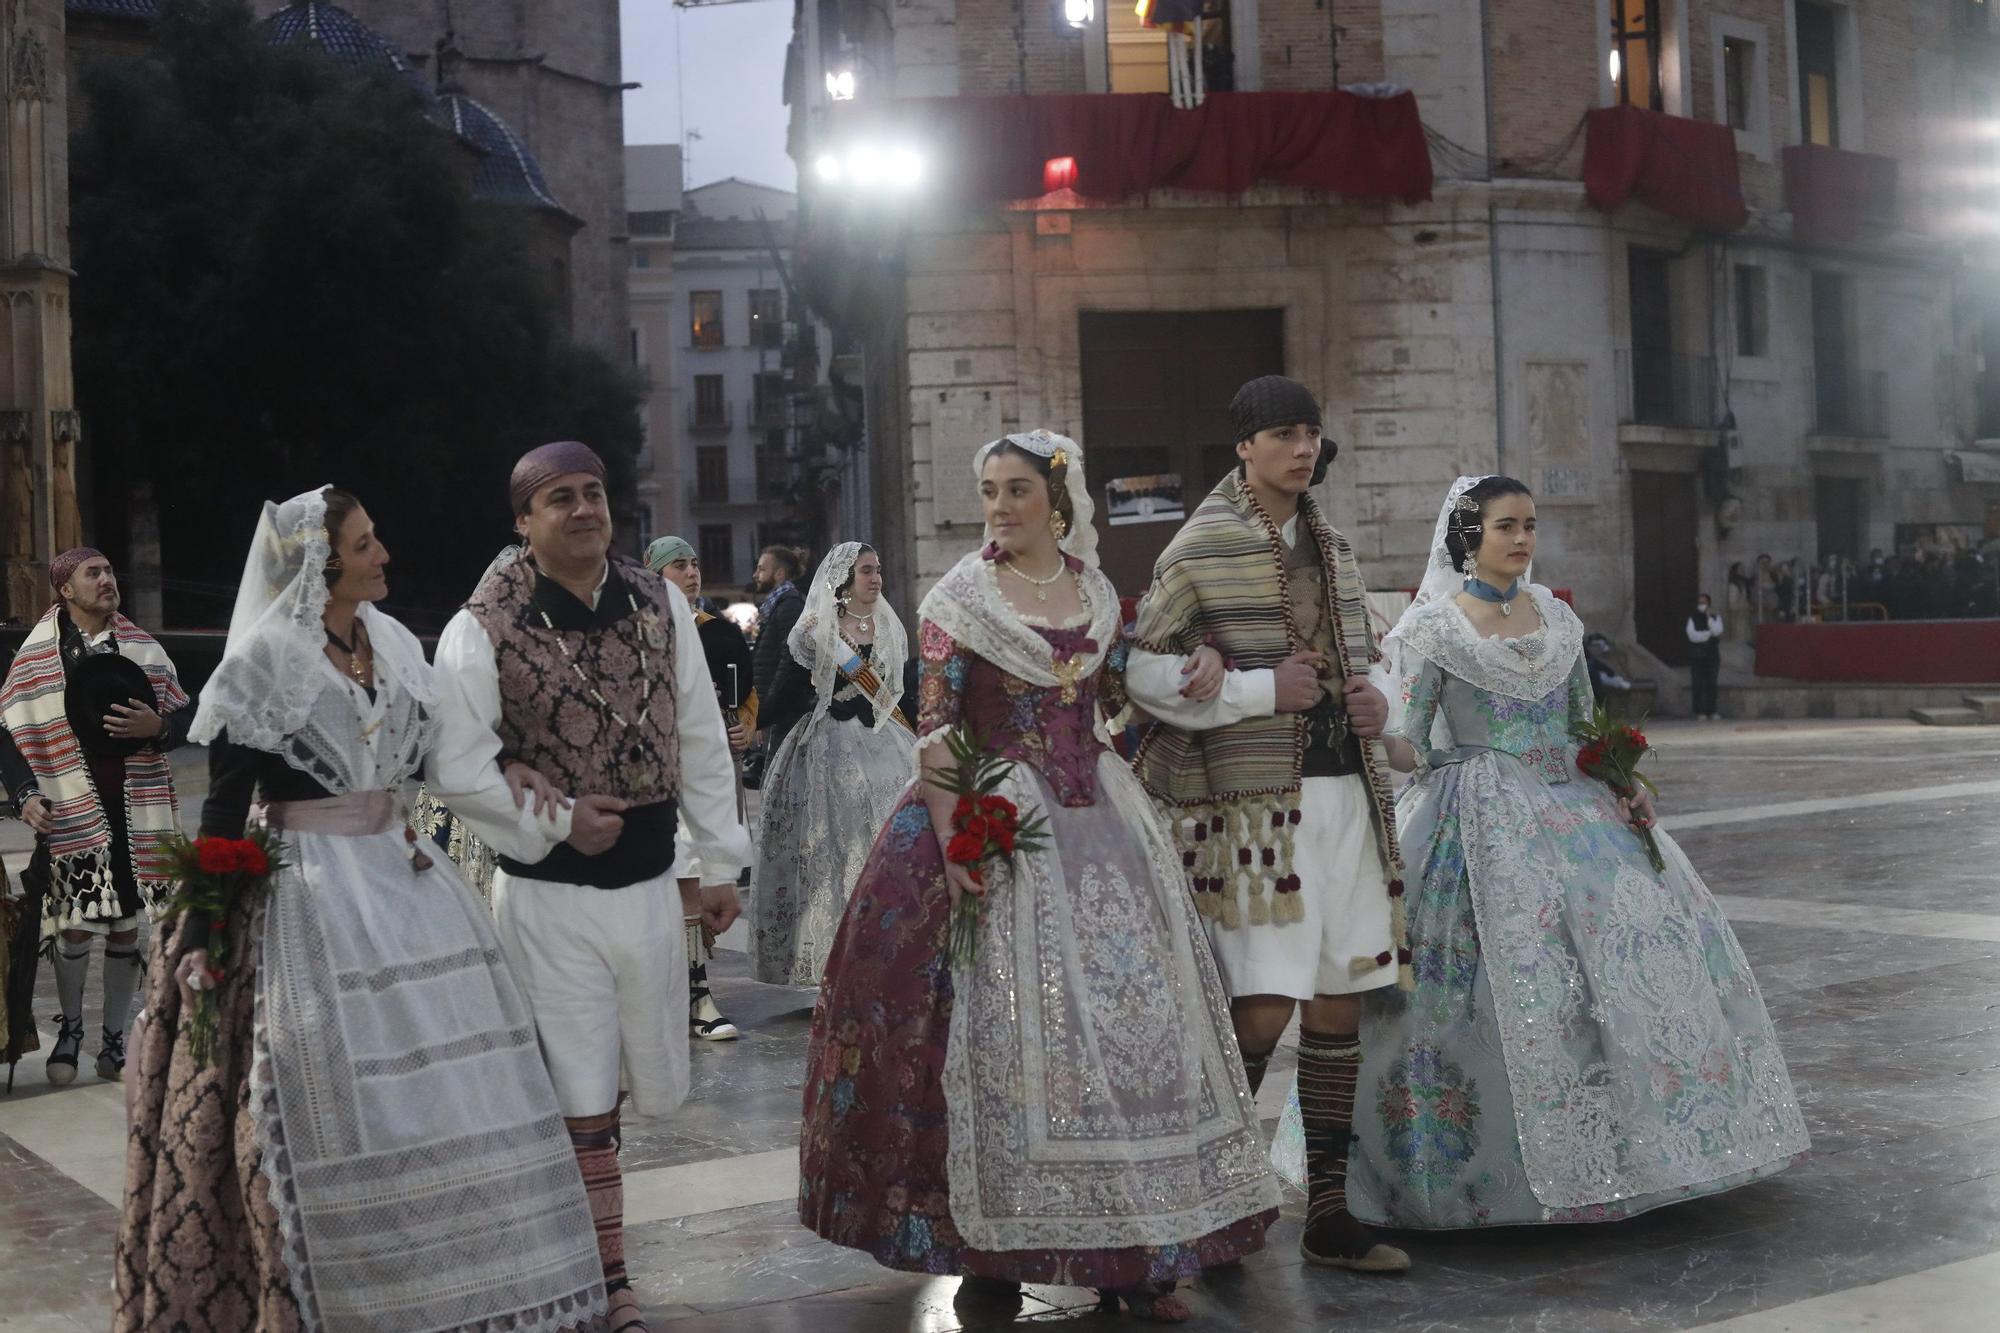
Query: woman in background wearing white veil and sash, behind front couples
x,y
839,774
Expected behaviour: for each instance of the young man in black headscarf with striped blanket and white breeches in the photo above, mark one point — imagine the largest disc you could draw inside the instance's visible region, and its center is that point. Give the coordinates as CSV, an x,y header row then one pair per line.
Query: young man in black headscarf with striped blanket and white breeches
x,y
1253,651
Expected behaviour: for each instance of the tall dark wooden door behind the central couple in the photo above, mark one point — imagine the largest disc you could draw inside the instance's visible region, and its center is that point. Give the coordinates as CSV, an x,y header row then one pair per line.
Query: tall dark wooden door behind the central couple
x,y
1157,399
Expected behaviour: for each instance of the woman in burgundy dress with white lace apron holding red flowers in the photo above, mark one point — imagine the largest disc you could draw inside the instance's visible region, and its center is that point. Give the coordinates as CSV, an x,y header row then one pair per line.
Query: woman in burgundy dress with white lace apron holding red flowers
x,y
1067,1106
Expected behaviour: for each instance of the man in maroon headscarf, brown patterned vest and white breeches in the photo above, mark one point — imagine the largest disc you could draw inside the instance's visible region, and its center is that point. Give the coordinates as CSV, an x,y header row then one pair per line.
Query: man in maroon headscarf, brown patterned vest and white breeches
x,y
587,672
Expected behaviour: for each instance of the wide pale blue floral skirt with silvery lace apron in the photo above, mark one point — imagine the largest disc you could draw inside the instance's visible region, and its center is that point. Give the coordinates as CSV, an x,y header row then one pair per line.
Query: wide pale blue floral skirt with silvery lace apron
x,y
1585,1040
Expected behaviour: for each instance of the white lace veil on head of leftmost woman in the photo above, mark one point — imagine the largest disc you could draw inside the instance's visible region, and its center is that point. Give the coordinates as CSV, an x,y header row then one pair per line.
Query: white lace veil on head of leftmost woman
x,y
271,674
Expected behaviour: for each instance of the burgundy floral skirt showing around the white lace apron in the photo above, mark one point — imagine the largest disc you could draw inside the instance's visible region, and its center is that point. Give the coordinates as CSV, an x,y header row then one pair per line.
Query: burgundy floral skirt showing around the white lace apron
x,y
873,1146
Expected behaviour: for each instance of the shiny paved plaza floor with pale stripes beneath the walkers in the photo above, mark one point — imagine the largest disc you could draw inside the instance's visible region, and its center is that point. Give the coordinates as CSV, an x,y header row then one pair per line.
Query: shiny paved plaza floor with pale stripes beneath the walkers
x,y
1861,864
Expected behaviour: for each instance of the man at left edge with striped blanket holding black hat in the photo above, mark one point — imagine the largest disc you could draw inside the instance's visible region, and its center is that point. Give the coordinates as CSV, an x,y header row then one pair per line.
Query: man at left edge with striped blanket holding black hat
x,y
89,710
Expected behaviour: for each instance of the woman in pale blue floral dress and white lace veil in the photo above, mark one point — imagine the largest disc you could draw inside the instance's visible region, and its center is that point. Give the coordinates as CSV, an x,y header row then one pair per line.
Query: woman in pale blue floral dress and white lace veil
x,y
1585,1040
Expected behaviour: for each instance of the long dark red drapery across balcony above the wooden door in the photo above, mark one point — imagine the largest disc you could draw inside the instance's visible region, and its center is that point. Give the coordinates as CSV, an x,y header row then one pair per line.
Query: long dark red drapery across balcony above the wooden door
x,y
997,149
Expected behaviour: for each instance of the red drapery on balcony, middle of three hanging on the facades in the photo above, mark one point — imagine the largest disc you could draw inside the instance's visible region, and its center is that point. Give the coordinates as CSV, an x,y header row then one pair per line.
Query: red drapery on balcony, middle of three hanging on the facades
x,y
1687,169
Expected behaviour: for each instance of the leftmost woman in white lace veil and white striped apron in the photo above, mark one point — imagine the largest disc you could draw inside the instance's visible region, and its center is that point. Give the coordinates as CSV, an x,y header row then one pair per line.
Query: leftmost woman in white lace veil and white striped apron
x,y
375,1144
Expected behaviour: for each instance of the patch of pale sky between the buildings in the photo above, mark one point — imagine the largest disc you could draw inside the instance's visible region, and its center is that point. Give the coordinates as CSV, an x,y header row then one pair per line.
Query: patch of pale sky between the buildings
x,y
715,71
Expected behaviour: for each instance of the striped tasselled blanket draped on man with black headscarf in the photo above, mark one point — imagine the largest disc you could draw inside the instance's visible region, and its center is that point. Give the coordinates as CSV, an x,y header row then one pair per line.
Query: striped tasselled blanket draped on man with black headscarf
x,y
1233,794
